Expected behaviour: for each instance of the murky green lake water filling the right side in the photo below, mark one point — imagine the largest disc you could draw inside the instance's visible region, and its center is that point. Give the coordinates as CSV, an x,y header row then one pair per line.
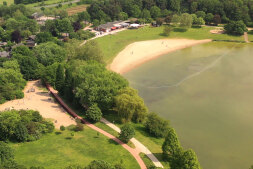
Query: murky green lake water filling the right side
x,y
207,94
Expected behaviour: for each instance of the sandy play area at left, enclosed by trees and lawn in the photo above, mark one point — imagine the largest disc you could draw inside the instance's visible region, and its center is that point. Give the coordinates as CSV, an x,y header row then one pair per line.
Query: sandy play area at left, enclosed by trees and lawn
x,y
41,101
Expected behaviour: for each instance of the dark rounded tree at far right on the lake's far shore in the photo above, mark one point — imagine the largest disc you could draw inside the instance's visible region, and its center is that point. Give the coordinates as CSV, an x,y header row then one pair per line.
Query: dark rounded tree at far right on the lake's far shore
x,y
236,28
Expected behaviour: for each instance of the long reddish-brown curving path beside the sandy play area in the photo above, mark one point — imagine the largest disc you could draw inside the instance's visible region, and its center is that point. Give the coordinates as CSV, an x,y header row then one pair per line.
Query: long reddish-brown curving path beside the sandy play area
x,y
134,152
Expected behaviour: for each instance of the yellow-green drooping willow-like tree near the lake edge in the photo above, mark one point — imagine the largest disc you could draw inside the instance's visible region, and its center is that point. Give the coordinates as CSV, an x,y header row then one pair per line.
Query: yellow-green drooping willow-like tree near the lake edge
x,y
130,106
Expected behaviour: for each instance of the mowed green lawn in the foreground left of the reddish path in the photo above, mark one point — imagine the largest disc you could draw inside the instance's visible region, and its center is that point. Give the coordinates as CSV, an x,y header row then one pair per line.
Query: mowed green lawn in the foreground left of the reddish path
x,y
57,151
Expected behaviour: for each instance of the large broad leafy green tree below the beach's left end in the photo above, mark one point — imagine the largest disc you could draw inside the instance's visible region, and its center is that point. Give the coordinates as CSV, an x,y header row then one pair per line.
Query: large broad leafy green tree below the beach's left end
x,y
95,84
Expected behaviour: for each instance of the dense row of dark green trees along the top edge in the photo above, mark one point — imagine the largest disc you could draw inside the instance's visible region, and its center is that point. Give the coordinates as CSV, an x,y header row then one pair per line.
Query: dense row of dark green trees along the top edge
x,y
122,9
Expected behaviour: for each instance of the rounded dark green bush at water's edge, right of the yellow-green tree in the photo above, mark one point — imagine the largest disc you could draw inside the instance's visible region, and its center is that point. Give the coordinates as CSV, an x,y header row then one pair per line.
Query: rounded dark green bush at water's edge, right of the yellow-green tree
x,y
156,126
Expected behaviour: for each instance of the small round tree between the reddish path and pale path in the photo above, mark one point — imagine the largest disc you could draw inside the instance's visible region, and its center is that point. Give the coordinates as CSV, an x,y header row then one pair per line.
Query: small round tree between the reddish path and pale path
x,y
126,133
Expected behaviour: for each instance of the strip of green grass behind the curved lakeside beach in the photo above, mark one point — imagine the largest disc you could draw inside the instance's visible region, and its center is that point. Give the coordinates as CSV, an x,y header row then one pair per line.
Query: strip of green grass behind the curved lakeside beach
x,y
111,45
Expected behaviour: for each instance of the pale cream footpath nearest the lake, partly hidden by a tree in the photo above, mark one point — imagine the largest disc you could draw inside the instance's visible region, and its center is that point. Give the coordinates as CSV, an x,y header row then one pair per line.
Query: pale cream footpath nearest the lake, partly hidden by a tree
x,y
139,146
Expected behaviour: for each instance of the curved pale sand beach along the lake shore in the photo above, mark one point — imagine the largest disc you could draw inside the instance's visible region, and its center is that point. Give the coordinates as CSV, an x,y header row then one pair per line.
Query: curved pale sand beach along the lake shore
x,y
138,53
